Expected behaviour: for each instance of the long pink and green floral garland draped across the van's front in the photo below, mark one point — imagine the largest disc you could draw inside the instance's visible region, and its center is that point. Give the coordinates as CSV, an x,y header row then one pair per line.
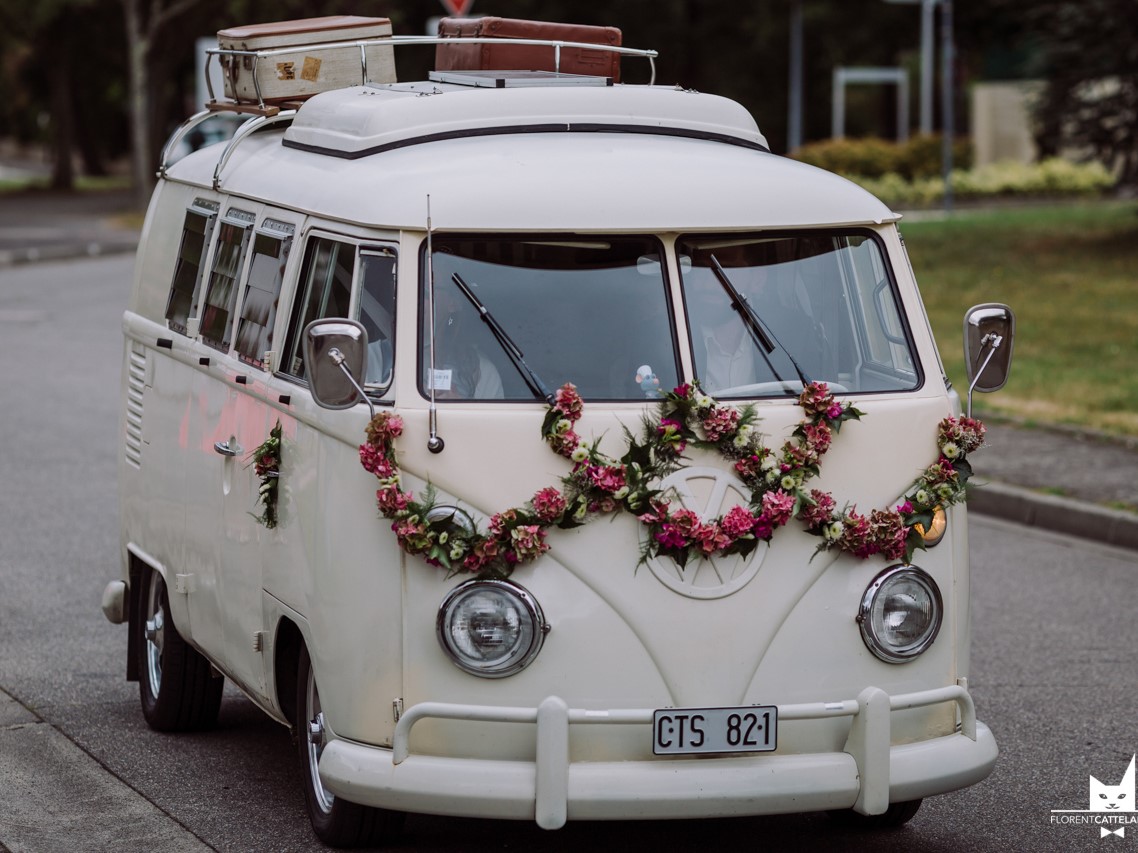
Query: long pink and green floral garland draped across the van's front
x,y
600,485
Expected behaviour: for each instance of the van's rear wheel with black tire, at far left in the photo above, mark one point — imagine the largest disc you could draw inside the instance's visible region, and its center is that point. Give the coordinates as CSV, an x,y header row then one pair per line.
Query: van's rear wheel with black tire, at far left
x,y
178,688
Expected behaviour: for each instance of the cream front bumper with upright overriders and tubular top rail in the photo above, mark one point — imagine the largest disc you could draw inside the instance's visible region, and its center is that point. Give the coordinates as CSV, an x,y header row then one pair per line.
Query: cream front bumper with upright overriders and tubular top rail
x,y
867,776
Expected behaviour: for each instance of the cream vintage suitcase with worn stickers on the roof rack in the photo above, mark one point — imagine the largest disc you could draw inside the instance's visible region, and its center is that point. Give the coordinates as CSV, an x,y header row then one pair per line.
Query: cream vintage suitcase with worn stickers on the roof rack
x,y
303,73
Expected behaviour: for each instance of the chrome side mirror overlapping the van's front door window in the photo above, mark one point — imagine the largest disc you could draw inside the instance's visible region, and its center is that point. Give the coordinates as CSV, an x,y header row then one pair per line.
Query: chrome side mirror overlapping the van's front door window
x,y
335,354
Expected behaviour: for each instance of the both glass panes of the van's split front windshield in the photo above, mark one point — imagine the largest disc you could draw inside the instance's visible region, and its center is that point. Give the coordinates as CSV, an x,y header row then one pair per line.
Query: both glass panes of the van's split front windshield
x,y
764,314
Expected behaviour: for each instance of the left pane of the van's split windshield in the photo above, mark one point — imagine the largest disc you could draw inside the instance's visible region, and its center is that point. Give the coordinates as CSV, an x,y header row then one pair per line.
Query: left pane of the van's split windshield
x,y
592,312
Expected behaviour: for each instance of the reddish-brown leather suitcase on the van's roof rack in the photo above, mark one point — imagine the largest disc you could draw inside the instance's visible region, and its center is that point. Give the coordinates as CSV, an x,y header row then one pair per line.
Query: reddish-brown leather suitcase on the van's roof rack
x,y
527,57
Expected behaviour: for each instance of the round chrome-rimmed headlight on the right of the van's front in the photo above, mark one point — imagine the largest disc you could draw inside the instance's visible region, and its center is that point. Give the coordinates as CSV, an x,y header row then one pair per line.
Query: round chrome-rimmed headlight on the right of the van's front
x,y
901,614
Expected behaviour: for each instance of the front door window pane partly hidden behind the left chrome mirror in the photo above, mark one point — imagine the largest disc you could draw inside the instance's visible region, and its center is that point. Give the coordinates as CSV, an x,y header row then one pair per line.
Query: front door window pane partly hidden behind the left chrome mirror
x,y
325,291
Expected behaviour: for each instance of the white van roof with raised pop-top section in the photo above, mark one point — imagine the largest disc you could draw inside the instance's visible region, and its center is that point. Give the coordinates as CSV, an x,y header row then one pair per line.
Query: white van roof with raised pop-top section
x,y
549,159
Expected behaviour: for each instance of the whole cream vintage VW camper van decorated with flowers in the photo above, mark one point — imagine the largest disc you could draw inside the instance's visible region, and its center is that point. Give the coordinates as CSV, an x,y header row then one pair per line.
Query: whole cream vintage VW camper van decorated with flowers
x,y
546,449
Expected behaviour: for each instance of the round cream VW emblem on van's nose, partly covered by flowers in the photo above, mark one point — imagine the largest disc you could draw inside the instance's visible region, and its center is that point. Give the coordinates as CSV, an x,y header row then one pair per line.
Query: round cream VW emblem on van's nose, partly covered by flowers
x,y
710,493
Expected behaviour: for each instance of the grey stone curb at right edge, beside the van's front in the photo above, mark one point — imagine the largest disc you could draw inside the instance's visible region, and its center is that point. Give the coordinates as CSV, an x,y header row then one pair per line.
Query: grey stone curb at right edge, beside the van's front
x,y
1059,515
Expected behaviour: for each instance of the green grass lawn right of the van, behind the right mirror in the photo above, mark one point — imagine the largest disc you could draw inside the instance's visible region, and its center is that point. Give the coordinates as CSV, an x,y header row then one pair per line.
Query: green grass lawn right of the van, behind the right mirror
x,y
1070,274
